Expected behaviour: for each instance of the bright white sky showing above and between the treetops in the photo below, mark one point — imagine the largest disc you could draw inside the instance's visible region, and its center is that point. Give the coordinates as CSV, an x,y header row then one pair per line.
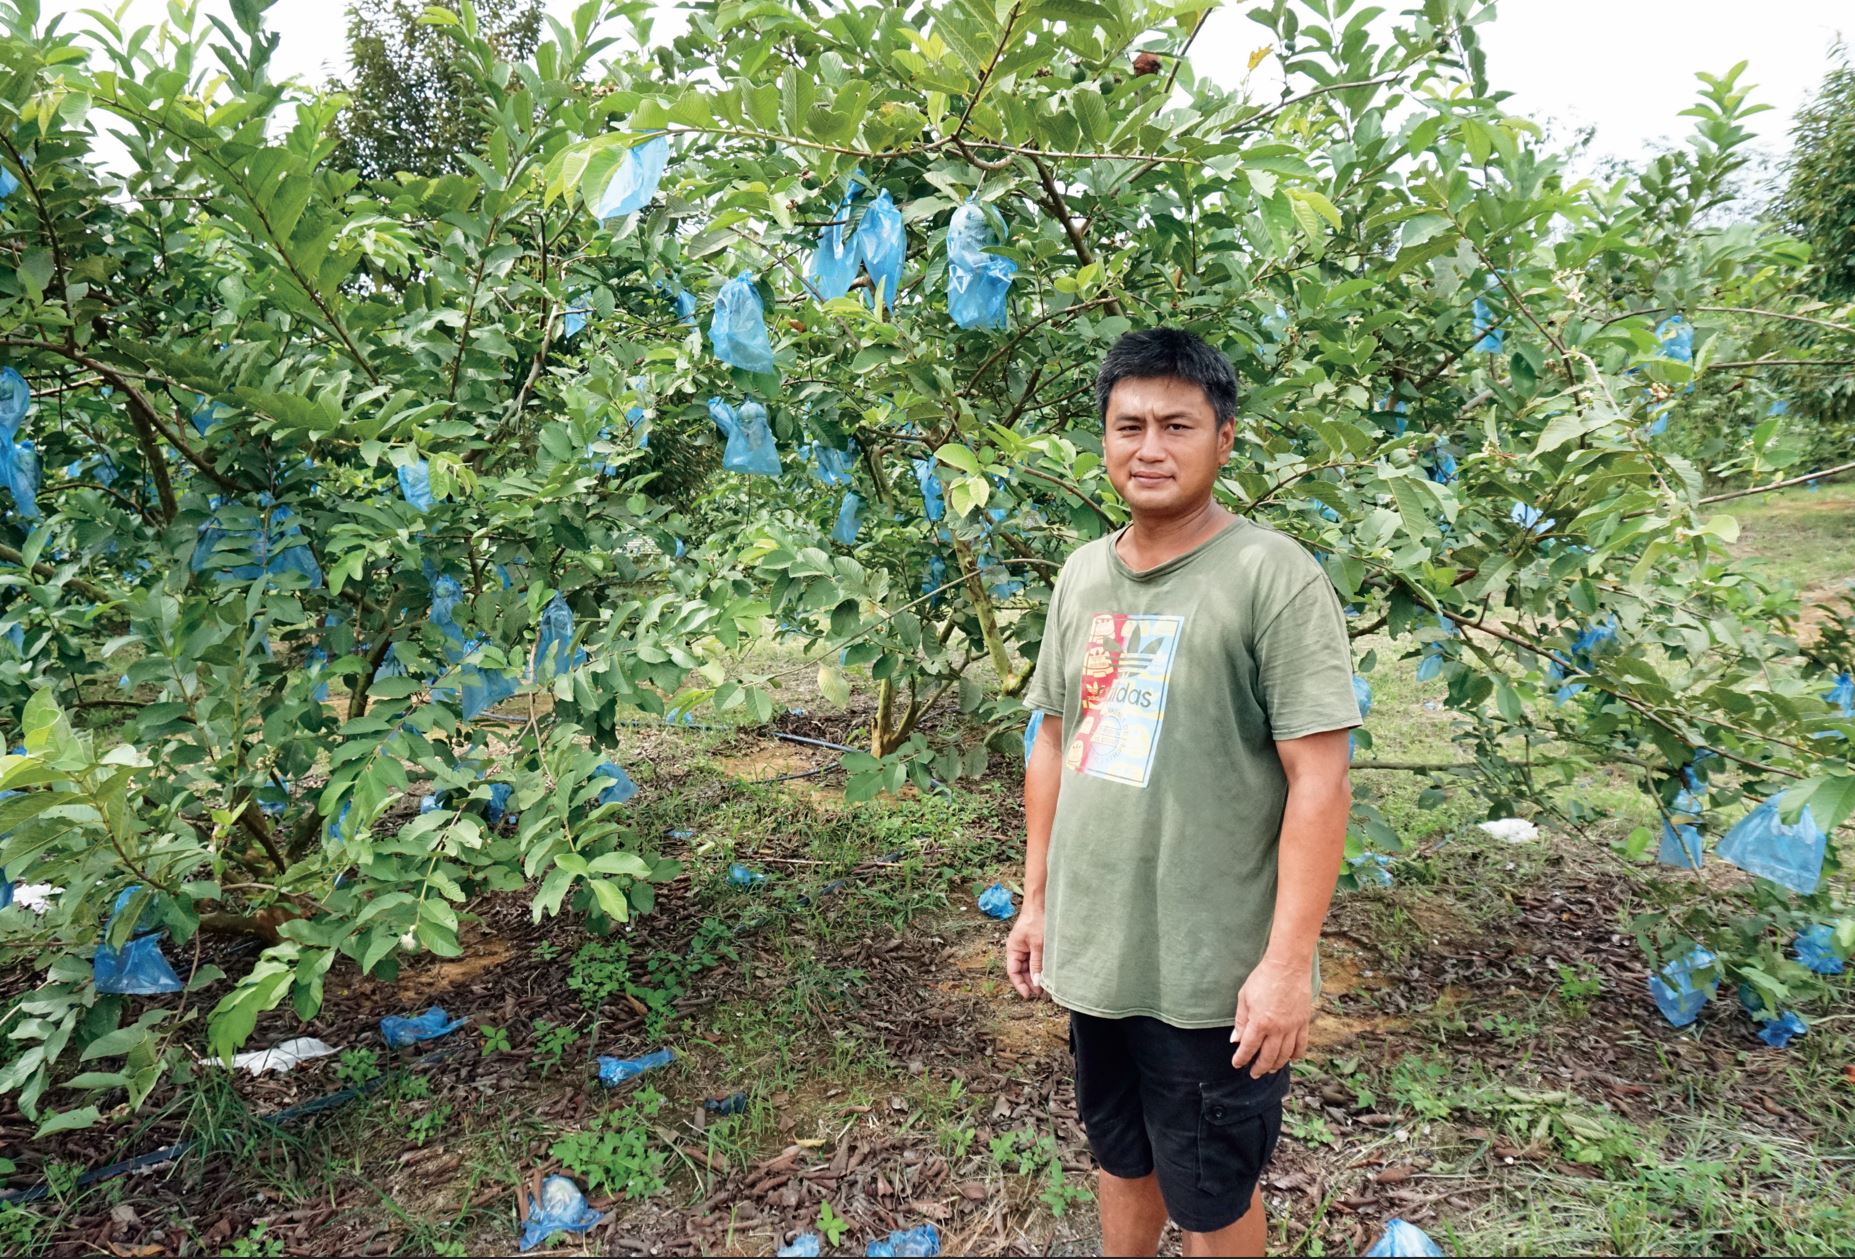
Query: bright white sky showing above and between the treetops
x,y
1624,66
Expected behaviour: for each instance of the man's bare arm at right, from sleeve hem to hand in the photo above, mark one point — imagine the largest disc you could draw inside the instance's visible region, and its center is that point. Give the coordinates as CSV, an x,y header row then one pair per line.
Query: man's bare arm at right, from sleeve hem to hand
x,y
1277,1000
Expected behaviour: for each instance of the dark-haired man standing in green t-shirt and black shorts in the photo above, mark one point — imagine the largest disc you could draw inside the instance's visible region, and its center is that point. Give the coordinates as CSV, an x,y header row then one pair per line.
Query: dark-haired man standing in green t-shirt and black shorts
x,y
1186,809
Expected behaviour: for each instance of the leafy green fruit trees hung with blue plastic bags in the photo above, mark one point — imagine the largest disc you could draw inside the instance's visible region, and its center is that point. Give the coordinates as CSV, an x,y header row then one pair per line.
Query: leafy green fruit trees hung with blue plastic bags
x,y
376,511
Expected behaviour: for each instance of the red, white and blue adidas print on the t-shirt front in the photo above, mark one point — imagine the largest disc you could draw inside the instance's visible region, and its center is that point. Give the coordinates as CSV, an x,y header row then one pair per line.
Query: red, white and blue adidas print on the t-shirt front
x,y
1125,674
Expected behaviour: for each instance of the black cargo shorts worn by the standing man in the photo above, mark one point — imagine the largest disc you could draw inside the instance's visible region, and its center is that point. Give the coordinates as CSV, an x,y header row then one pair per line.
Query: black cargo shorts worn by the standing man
x,y
1160,1099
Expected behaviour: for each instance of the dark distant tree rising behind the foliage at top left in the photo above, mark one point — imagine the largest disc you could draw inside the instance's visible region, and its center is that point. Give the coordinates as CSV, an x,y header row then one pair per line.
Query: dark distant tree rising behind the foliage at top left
x,y
411,105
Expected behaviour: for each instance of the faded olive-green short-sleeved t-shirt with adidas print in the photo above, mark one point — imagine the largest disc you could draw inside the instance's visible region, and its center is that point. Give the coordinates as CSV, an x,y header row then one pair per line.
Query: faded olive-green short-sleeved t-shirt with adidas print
x,y
1175,687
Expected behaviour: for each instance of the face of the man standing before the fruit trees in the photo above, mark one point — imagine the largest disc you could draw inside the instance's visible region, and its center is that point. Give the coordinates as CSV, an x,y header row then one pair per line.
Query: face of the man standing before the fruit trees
x,y
1164,446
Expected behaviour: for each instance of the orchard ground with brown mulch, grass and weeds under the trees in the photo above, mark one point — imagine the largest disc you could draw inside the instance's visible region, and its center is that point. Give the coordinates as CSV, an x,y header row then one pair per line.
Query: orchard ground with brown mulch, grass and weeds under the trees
x,y
1487,1062
